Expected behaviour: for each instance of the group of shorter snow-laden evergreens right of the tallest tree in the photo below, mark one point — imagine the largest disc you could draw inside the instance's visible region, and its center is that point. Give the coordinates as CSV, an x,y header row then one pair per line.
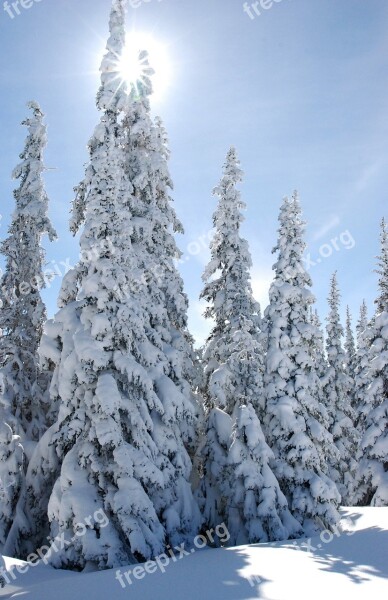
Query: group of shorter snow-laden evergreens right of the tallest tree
x,y
293,429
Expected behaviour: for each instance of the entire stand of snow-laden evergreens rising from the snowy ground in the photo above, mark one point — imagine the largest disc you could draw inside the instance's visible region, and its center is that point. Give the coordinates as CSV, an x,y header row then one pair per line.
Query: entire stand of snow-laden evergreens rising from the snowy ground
x,y
108,407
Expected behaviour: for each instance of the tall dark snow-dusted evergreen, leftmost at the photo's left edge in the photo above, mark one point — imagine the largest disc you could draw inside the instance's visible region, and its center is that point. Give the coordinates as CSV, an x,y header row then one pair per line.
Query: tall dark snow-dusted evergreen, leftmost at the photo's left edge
x,y
22,315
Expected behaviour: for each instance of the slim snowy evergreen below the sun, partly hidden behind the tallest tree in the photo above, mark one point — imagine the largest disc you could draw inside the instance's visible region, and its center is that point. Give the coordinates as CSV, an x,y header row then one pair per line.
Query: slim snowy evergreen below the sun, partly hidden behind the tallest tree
x,y
155,223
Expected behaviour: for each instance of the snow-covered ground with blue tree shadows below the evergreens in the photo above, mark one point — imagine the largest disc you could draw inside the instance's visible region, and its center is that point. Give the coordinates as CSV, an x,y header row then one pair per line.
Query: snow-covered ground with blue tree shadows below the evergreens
x,y
354,565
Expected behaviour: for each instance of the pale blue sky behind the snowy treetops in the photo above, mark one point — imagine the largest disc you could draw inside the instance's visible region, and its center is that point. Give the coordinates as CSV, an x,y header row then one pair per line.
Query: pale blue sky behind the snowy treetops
x,y
300,90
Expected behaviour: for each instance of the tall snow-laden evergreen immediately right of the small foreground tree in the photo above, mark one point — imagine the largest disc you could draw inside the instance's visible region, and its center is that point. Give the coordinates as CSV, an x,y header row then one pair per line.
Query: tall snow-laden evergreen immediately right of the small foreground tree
x,y
296,421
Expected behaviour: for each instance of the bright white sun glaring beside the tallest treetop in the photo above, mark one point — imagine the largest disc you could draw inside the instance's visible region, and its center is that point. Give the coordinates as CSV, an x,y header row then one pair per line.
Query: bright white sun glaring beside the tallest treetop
x,y
132,70
